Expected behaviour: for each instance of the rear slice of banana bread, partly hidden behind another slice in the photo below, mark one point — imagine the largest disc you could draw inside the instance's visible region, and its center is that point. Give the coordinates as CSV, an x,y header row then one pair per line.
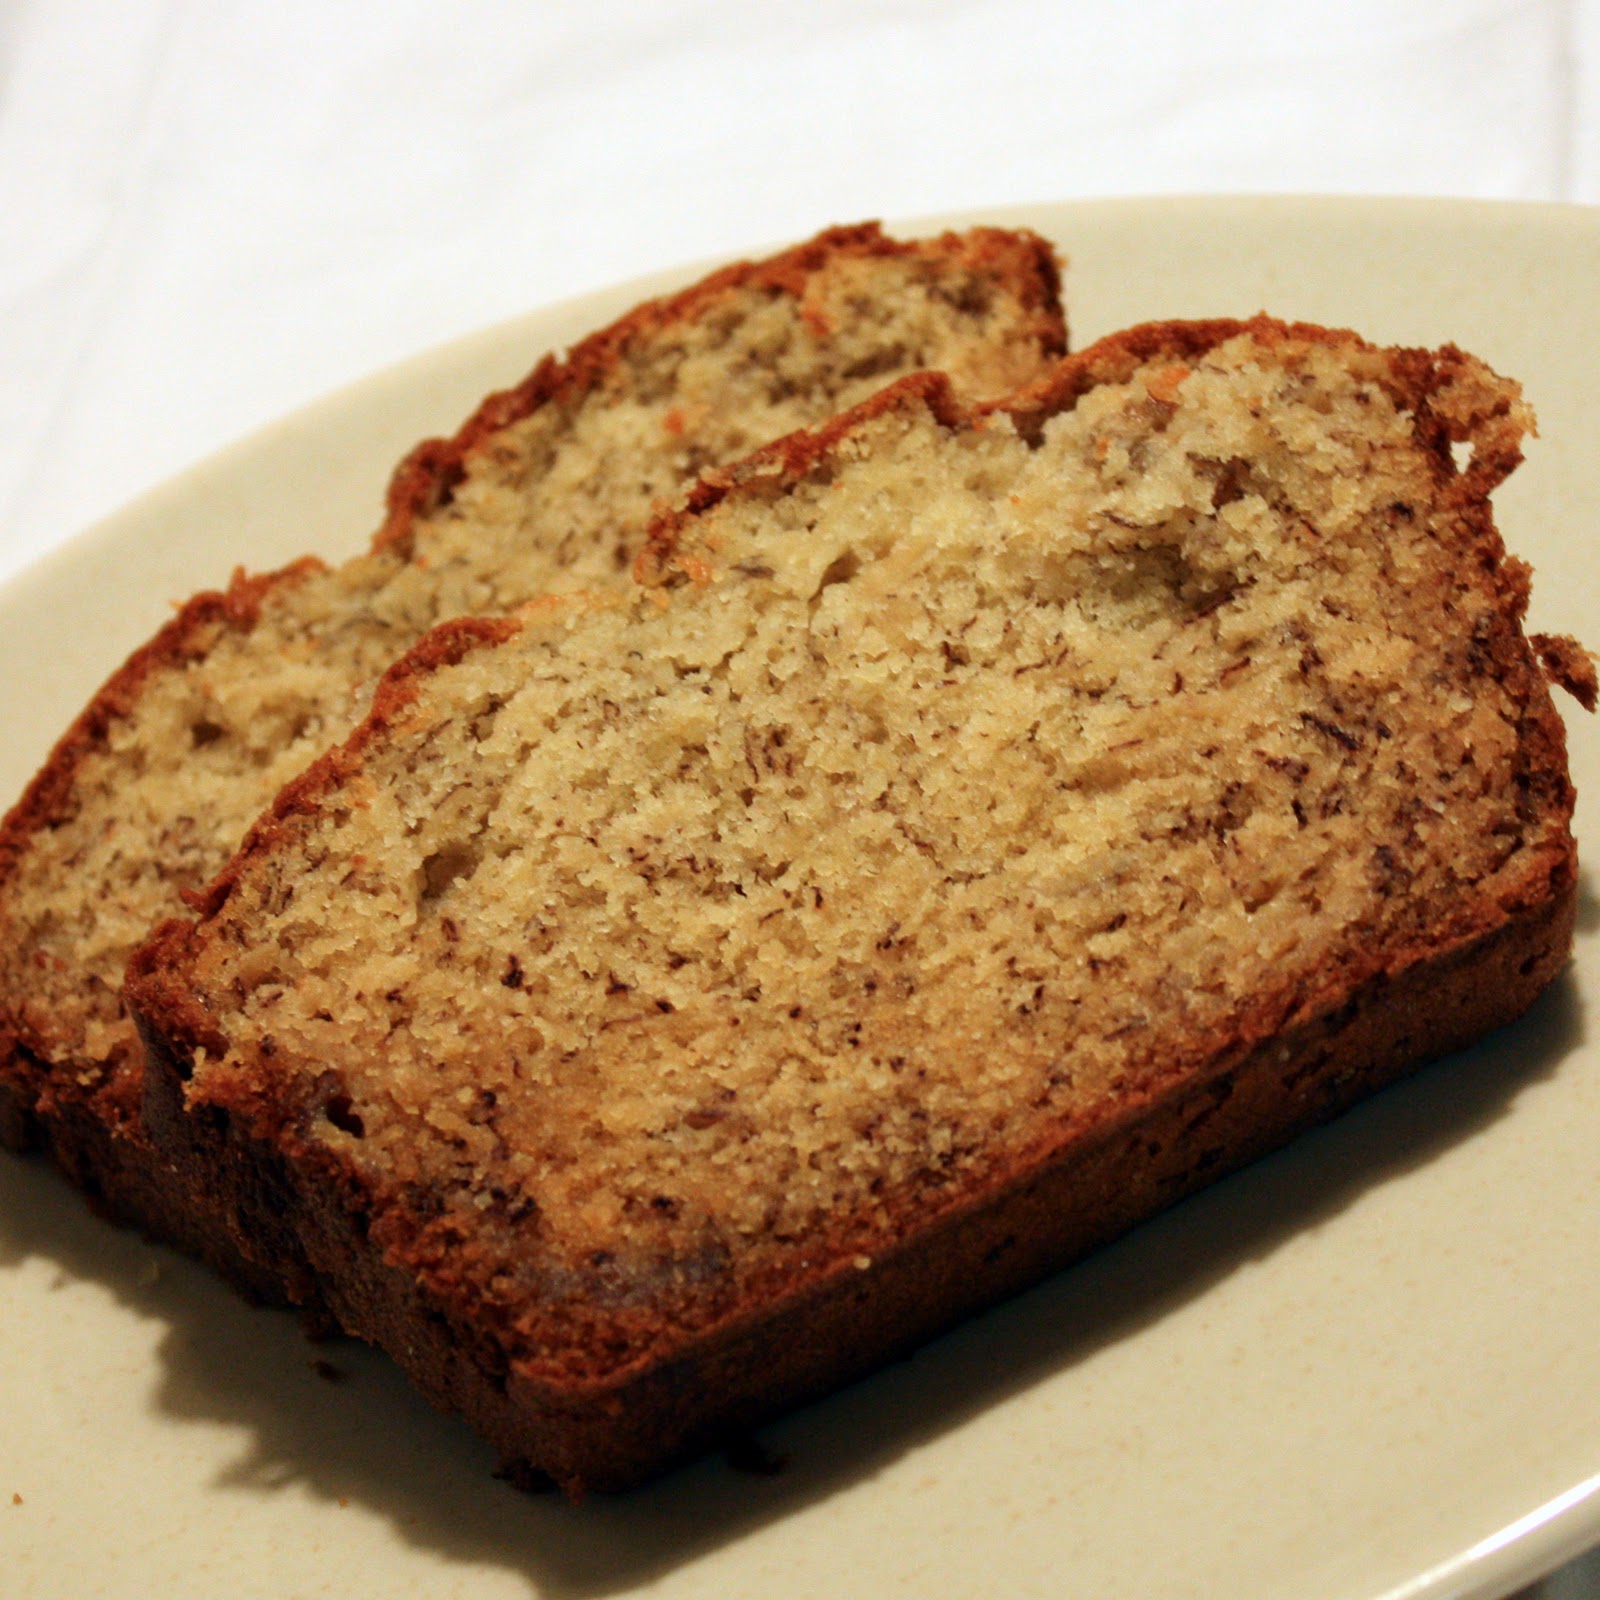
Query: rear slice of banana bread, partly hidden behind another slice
x,y
548,487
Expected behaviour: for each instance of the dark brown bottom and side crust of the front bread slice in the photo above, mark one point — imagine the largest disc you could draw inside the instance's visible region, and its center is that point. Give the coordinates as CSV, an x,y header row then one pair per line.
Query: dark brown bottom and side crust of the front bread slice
x,y
1135,1161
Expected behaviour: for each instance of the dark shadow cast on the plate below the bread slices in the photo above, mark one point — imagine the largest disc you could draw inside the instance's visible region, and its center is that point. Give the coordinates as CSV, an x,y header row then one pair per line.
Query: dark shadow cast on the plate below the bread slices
x,y
340,1422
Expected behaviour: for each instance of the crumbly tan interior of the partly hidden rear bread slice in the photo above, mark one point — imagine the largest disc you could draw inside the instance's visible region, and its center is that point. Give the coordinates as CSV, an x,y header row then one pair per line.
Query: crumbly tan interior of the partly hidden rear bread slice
x,y
553,503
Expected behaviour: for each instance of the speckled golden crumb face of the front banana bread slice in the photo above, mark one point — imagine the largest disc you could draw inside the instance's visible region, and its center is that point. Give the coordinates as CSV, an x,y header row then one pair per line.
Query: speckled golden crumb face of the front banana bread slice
x,y
942,796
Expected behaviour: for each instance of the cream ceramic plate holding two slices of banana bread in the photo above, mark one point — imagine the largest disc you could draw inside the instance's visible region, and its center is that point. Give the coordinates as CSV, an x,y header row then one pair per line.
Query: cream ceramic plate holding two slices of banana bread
x,y
1366,1367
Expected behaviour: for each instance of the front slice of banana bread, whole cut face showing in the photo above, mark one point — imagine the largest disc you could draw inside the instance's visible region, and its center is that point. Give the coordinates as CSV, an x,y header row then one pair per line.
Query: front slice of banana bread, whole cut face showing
x,y
982,828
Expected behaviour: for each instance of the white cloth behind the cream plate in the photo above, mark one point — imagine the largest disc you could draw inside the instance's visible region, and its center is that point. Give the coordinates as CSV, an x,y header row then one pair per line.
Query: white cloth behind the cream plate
x,y
215,210
